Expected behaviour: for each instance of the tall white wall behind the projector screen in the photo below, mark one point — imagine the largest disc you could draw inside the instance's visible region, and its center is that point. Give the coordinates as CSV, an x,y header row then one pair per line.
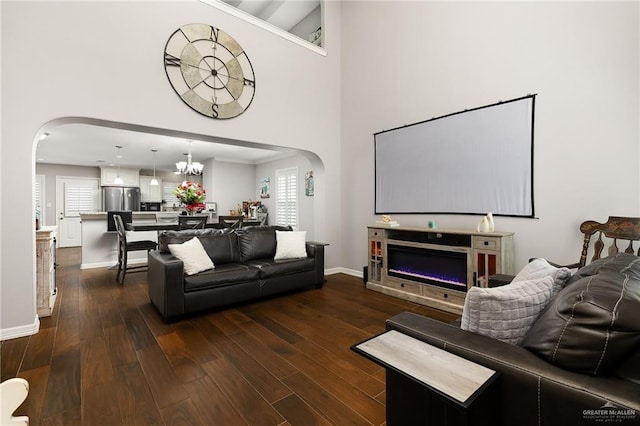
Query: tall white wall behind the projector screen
x,y
404,62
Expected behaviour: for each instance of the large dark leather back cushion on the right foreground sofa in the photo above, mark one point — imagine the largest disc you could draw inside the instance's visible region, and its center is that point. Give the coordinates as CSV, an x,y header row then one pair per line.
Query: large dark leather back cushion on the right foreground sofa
x,y
592,324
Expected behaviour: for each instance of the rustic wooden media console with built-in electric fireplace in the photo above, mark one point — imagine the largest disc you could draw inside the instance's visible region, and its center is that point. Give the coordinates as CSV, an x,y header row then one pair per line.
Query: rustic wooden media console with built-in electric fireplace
x,y
435,267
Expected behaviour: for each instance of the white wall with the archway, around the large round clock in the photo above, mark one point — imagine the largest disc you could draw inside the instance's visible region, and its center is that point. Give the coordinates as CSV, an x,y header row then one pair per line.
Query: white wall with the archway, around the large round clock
x,y
104,60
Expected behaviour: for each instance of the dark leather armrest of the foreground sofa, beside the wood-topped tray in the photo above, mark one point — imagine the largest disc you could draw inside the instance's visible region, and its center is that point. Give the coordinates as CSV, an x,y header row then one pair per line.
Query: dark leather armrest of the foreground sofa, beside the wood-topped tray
x,y
531,390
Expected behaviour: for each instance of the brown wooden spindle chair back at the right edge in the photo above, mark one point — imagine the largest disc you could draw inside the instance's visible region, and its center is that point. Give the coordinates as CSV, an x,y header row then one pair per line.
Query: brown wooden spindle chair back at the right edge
x,y
617,230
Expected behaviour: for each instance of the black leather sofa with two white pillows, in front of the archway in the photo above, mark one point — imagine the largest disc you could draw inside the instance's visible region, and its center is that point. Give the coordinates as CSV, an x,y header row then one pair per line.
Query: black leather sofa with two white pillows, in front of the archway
x,y
245,270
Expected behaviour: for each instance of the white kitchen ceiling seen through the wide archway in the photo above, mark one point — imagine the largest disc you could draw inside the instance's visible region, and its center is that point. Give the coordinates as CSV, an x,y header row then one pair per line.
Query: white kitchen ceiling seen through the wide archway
x,y
87,145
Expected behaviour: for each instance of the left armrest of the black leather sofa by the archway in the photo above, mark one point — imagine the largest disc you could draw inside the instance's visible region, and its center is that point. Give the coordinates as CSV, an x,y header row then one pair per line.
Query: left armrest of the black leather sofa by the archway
x,y
166,284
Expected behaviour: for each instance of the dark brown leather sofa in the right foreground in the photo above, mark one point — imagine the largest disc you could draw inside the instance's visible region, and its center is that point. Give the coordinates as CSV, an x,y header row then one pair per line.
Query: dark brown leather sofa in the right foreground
x,y
534,389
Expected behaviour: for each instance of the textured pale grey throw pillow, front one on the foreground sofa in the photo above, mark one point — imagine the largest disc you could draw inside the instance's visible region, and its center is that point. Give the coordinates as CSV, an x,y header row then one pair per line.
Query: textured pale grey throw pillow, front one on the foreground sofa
x,y
506,313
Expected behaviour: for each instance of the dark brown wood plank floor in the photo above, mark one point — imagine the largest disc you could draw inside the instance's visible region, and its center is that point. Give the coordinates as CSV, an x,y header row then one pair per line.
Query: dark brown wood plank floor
x,y
106,358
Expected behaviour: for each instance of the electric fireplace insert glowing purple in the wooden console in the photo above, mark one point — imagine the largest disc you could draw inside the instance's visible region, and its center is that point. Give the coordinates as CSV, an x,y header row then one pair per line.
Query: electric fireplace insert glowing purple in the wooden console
x,y
442,268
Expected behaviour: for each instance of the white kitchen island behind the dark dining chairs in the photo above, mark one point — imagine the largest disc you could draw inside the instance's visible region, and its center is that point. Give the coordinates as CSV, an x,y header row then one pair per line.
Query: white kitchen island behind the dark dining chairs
x,y
100,246
